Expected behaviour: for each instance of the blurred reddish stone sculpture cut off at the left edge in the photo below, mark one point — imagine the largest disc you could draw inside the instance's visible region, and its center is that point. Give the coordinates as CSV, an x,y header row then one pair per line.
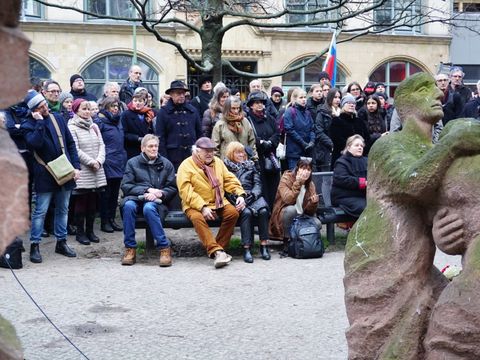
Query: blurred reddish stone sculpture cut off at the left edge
x,y
13,175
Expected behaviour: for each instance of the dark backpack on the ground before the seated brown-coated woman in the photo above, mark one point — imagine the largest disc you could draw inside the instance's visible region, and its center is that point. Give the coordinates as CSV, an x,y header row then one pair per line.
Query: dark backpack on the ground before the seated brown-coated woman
x,y
305,240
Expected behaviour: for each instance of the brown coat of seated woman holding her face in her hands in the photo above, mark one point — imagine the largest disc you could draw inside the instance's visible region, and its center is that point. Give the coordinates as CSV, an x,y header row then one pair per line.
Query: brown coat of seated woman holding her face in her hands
x,y
287,194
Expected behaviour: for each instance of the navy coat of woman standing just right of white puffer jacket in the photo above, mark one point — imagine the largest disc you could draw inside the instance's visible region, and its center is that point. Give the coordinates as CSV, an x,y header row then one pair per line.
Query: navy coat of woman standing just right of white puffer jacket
x,y
113,137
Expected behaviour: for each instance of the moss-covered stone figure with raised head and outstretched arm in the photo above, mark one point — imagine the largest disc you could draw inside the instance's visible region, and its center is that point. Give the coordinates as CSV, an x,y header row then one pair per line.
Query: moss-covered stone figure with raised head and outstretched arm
x,y
390,282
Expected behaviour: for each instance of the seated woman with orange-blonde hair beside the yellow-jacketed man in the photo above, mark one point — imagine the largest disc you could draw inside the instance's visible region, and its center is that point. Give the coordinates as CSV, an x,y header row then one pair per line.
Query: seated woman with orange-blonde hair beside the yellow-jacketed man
x,y
256,207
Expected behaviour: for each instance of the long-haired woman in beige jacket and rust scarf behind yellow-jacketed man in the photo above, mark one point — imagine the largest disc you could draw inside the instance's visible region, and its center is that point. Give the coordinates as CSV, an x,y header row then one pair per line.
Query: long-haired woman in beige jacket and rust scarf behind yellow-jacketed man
x,y
233,127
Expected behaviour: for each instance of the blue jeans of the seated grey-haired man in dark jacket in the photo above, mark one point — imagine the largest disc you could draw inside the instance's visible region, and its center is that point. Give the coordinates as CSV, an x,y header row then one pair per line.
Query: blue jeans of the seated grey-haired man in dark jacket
x,y
151,215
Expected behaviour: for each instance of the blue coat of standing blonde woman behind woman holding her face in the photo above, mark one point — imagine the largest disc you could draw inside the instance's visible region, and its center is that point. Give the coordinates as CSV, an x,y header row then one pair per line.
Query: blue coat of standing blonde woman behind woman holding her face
x,y
299,129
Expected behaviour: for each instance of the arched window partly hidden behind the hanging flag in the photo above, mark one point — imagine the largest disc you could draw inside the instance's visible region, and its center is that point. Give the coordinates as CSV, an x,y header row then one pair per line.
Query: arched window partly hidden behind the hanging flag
x,y
308,75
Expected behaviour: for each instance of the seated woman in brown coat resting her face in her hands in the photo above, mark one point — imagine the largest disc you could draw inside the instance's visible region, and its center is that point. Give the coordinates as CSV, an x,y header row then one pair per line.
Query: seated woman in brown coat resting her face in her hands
x,y
296,194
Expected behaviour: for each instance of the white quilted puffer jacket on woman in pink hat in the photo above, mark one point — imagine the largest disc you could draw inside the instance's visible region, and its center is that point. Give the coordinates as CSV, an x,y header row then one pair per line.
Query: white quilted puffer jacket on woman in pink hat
x,y
90,148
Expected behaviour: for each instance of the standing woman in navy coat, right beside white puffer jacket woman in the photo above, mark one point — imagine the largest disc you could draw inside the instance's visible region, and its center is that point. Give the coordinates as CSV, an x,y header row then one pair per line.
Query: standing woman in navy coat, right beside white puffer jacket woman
x,y
115,160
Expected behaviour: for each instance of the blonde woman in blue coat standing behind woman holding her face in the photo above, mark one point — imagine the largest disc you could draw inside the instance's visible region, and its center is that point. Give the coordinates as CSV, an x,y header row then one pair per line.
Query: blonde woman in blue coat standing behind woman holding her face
x,y
298,123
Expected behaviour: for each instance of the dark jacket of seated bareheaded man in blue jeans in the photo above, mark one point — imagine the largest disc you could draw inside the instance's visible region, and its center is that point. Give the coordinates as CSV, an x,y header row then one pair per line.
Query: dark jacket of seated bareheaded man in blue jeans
x,y
140,176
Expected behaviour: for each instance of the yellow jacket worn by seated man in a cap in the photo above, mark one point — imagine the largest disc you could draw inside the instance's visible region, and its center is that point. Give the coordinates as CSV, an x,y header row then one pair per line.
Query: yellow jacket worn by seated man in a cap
x,y
195,189
